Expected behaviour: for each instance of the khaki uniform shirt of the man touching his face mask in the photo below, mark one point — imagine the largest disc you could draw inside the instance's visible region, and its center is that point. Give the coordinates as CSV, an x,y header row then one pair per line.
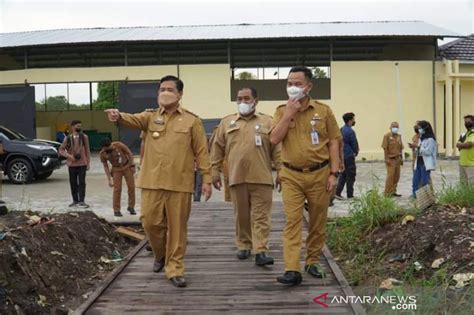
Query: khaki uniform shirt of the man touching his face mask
x,y
297,147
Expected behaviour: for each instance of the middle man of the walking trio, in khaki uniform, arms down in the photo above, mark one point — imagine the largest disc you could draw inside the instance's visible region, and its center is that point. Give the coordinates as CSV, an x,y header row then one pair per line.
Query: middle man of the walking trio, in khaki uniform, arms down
x,y
244,138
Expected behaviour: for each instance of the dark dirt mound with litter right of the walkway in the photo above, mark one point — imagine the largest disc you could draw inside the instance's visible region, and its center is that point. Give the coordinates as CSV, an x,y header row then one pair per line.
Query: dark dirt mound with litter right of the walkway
x,y
442,232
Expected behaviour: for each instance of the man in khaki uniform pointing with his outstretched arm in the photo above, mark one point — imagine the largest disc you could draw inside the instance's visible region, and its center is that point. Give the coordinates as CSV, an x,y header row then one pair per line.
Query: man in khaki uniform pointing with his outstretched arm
x,y
174,139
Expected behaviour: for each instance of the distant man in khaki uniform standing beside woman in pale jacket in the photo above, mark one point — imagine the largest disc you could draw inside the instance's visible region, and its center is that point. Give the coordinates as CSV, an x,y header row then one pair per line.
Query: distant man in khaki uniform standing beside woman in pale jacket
x,y
393,152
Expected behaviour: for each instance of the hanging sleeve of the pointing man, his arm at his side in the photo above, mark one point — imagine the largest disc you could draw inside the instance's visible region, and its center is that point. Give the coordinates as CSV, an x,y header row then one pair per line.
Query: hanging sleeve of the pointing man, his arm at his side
x,y
201,151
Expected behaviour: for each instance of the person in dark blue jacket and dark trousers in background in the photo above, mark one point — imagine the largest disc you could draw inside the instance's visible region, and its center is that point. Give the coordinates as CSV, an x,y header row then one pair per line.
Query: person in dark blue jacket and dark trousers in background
x,y
351,150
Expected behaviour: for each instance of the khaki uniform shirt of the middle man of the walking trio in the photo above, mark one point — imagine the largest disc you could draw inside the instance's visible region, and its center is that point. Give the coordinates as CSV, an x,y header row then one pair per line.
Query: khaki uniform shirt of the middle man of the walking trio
x,y
236,140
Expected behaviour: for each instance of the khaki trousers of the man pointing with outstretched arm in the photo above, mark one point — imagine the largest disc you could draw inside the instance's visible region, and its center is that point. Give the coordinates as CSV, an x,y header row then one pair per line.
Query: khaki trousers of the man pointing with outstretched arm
x,y
165,215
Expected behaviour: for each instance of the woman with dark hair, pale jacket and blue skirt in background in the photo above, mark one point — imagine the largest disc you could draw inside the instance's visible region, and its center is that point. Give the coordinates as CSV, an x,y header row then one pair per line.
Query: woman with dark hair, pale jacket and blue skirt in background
x,y
427,151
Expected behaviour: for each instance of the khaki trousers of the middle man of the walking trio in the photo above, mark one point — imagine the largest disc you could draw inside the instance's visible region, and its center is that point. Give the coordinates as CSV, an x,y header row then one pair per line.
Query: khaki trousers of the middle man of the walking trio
x,y
252,209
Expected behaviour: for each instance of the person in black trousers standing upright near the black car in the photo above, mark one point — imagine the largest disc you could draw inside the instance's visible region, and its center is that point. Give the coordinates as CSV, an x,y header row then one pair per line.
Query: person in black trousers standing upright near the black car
x,y
75,148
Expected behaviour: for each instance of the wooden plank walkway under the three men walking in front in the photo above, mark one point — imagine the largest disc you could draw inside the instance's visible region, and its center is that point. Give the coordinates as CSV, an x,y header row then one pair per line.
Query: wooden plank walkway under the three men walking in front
x,y
217,281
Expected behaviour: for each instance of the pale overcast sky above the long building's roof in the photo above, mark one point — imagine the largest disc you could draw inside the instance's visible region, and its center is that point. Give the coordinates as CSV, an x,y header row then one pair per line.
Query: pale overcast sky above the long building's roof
x,y
17,16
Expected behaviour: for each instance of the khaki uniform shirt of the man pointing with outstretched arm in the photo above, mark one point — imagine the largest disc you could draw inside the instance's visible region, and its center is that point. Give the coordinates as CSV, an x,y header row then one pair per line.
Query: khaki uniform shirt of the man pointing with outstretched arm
x,y
172,143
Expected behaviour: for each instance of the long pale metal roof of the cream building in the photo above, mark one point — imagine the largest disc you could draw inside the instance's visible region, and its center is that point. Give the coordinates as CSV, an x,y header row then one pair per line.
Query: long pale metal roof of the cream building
x,y
224,32
